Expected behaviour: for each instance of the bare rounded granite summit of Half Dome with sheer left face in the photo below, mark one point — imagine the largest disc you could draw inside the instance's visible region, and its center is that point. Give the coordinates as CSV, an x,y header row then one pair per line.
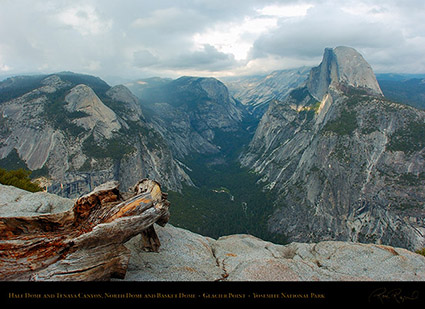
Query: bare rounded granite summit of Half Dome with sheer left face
x,y
342,66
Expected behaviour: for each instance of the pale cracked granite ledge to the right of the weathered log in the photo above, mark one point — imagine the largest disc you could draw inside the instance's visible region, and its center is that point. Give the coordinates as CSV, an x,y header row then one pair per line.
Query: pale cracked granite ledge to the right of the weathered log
x,y
186,256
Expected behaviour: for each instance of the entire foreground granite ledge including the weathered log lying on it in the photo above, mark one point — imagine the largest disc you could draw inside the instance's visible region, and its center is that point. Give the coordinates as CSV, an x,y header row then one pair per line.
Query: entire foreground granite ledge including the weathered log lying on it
x,y
109,234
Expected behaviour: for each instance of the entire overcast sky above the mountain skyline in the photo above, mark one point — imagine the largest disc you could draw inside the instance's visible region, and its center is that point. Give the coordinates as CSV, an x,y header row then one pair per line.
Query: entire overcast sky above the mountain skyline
x,y
171,38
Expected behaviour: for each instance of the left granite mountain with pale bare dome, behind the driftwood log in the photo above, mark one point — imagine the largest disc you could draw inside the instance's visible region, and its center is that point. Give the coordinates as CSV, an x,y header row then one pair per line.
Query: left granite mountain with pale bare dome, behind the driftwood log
x,y
75,132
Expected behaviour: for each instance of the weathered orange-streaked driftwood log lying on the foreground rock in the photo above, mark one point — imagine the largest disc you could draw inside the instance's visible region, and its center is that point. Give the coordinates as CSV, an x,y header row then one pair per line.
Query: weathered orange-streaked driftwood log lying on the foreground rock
x,y
86,242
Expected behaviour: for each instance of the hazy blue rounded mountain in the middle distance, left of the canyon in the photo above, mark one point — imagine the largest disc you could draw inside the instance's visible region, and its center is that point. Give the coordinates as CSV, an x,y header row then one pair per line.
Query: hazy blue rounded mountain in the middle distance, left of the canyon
x,y
191,112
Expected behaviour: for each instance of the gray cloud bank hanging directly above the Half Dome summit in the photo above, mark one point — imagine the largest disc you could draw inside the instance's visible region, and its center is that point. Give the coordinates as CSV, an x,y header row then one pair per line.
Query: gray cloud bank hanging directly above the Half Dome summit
x,y
326,26
